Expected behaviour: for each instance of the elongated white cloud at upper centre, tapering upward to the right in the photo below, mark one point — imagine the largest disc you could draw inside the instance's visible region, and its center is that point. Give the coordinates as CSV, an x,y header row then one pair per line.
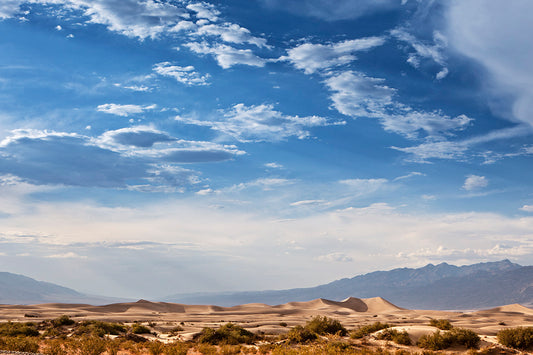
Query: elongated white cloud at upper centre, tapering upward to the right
x,y
312,57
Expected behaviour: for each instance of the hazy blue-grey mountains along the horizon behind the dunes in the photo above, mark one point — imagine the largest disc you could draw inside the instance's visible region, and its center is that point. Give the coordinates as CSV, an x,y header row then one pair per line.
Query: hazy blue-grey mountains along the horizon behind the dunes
x,y
438,287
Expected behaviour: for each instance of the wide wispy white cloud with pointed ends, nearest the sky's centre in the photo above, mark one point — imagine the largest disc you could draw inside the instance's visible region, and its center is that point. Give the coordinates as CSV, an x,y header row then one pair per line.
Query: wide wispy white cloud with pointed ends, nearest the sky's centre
x,y
259,123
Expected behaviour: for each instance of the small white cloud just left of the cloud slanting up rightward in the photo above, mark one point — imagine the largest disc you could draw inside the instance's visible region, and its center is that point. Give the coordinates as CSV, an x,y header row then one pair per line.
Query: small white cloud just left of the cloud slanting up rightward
x,y
227,56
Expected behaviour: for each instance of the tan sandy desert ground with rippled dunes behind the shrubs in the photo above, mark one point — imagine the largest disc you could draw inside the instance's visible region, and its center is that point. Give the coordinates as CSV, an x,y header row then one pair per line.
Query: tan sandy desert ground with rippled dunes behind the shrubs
x,y
256,317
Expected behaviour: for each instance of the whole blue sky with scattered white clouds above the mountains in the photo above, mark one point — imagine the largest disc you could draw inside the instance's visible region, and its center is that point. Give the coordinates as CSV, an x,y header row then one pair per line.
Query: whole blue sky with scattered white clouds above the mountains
x,y
154,147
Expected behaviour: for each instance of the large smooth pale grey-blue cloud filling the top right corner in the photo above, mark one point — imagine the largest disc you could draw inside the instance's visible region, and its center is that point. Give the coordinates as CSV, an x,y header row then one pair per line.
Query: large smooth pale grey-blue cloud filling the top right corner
x,y
498,39
